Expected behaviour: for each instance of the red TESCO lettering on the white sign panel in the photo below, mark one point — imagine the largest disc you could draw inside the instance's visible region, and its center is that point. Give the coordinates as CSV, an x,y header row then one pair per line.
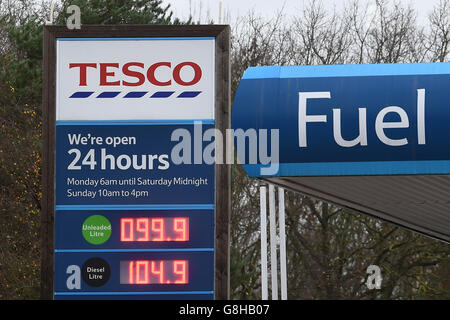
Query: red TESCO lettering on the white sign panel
x,y
133,74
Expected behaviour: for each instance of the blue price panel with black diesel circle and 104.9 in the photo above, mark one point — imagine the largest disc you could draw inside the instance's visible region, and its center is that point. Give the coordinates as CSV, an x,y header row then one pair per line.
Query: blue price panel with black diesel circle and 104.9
x,y
138,275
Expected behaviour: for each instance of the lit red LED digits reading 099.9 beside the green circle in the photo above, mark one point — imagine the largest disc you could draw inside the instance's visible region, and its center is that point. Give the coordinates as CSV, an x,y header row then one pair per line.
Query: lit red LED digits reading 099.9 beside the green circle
x,y
145,229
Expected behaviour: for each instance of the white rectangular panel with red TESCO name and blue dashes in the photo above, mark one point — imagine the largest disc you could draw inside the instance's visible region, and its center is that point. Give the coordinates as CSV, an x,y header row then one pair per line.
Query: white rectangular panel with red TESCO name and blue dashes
x,y
146,78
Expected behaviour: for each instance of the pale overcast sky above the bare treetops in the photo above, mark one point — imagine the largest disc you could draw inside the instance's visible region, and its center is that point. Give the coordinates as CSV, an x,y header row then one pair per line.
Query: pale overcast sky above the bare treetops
x,y
232,9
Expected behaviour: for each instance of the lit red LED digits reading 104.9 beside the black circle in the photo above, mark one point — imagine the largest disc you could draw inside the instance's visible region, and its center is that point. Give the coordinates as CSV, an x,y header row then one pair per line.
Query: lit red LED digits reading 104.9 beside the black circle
x,y
154,272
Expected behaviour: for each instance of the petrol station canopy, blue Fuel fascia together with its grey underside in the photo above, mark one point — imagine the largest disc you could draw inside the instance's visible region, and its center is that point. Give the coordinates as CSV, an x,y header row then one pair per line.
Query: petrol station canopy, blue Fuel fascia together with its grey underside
x,y
372,138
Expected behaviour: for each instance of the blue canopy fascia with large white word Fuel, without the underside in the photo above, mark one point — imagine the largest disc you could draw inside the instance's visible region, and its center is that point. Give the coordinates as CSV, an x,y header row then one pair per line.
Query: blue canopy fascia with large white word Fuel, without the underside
x,y
384,119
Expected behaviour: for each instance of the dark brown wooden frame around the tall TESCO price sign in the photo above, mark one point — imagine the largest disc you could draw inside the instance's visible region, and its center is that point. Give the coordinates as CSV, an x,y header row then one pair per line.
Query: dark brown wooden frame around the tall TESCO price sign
x,y
221,33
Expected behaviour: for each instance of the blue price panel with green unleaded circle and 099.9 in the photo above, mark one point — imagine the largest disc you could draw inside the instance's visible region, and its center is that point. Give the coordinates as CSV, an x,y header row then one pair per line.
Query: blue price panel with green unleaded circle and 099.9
x,y
134,229
